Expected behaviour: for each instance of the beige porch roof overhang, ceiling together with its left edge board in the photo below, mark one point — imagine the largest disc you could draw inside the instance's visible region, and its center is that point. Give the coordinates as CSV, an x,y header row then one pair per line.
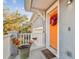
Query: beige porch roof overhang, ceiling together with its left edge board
x,y
38,4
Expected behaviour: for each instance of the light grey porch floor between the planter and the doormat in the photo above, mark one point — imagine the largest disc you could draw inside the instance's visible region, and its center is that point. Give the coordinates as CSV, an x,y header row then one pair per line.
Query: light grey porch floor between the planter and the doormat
x,y
36,54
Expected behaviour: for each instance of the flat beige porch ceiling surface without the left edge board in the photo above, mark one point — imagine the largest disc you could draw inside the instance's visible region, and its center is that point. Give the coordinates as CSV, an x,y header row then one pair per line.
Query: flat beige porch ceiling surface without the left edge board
x,y
41,4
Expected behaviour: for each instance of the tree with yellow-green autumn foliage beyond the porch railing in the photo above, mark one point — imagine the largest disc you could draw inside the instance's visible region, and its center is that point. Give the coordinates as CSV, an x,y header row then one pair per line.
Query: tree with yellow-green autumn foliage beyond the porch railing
x,y
13,21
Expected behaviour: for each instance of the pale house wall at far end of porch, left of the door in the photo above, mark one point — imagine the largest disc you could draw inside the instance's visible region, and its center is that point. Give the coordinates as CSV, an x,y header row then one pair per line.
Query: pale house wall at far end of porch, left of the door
x,y
40,42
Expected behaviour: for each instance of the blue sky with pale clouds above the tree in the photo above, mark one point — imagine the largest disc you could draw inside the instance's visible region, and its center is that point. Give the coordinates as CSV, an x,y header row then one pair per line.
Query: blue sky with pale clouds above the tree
x,y
14,5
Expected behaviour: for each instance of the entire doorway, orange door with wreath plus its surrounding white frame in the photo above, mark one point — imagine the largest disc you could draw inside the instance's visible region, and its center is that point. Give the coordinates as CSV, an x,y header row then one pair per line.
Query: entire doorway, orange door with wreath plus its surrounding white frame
x,y
52,28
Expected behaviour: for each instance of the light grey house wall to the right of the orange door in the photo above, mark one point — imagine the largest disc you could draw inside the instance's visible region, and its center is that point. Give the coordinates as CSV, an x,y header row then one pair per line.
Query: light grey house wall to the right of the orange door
x,y
66,30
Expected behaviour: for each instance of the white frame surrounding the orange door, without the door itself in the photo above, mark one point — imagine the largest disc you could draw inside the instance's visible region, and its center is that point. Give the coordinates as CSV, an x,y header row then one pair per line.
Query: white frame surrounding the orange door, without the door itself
x,y
56,4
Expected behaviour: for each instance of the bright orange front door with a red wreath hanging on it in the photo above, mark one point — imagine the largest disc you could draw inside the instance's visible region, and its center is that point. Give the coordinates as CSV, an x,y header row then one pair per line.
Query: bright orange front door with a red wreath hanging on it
x,y
53,28
